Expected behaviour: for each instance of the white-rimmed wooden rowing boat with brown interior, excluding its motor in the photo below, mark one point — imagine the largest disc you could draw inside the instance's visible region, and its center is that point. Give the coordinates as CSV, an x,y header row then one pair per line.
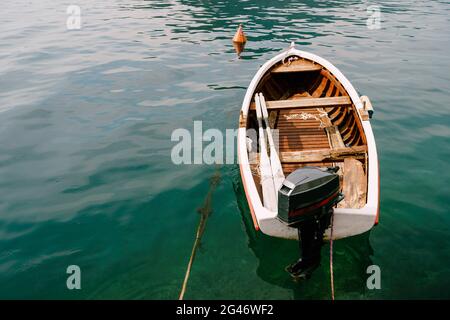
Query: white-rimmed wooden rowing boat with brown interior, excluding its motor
x,y
322,122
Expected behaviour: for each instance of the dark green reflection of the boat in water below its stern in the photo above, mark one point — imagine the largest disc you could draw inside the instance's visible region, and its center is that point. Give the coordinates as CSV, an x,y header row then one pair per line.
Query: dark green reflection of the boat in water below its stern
x,y
352,256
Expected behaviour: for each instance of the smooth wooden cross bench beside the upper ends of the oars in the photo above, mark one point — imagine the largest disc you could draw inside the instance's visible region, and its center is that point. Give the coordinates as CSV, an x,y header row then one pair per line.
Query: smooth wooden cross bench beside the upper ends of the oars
x,y
304,103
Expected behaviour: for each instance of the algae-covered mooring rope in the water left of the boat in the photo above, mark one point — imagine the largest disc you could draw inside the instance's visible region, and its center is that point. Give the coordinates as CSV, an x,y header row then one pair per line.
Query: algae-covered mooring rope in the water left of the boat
x,y
205,212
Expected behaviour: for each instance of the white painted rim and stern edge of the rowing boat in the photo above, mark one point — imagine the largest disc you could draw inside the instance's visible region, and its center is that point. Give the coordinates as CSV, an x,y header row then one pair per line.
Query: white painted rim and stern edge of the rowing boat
x,y
347,221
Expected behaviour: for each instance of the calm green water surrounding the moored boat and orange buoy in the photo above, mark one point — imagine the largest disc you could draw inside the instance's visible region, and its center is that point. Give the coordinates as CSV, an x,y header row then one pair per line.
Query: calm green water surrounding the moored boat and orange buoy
x,y
86,118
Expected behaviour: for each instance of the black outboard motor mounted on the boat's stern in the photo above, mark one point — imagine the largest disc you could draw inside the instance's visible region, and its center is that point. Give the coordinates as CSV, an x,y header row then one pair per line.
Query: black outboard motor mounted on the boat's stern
x,y
305,201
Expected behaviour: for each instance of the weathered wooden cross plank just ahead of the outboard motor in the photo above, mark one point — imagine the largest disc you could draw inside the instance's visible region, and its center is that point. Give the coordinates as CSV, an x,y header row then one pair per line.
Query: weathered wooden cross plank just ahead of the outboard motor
x,y
323,154
